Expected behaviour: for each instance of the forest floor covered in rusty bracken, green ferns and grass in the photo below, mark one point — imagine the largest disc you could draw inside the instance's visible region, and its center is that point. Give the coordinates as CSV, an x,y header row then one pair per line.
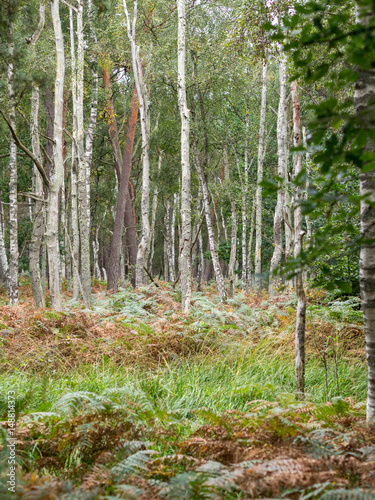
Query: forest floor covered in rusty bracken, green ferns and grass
x,y
134,400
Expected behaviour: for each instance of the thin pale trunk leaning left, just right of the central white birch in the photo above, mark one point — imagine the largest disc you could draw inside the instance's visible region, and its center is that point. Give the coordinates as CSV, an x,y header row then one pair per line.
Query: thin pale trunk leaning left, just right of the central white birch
x,y
206,200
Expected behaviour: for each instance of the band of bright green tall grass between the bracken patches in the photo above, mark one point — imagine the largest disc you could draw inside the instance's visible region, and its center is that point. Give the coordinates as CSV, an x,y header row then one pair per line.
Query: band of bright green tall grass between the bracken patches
x,y
218,382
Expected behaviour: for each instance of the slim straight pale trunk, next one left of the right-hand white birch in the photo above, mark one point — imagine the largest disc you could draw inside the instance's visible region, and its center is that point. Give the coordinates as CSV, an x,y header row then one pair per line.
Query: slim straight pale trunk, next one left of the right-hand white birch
x,y
258,224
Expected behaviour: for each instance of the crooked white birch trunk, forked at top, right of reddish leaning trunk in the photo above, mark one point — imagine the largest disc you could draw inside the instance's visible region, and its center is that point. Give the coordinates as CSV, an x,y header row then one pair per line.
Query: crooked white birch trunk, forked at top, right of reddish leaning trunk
x,y
142,96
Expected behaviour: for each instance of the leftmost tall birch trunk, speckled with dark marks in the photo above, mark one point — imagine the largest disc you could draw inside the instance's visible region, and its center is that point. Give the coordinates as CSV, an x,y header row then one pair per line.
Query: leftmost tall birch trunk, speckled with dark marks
x,y
13,204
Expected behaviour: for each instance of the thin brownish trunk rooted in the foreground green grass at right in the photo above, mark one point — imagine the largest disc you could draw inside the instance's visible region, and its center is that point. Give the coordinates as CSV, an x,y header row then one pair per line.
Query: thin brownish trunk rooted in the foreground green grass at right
x,y
298,238
